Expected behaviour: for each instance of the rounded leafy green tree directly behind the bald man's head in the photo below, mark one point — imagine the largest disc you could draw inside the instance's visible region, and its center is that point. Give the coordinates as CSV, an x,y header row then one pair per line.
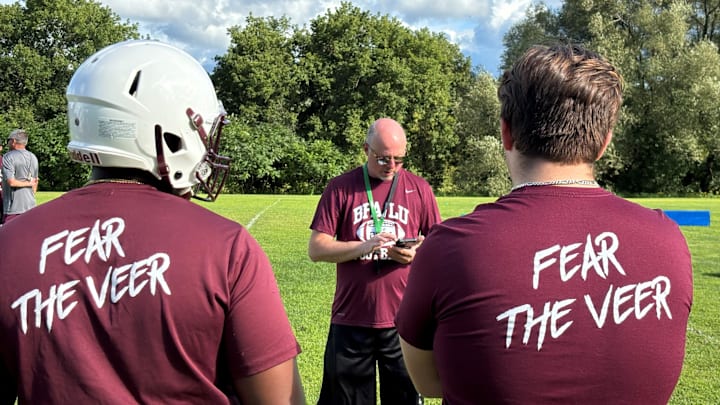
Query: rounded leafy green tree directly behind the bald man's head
x,y
360,67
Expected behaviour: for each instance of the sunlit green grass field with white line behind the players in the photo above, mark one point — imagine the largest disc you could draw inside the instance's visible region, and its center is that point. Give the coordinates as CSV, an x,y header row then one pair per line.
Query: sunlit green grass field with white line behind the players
x,y
280,224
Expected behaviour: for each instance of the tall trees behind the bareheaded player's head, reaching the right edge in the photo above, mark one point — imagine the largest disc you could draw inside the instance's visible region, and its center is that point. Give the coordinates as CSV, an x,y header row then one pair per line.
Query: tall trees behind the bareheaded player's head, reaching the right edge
x,y
665,141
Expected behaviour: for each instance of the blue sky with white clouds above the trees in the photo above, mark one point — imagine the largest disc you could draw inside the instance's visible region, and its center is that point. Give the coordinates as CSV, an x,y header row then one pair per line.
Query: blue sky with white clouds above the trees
x,y
200,26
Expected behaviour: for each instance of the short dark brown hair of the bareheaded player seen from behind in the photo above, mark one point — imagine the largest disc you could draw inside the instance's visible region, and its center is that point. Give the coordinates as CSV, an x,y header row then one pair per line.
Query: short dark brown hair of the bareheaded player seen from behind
x,y
560,102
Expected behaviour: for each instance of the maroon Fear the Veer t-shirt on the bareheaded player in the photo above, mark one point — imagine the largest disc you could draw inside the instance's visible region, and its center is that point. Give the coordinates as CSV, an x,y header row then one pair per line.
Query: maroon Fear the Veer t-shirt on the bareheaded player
x,y
552,295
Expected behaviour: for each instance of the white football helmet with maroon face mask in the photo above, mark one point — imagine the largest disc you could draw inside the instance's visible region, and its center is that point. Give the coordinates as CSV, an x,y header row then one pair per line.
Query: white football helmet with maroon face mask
x,y
149,106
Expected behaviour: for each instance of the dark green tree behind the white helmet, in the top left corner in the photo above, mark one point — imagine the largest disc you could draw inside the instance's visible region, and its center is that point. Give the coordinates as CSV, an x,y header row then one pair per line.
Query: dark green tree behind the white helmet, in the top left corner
x,y
42,43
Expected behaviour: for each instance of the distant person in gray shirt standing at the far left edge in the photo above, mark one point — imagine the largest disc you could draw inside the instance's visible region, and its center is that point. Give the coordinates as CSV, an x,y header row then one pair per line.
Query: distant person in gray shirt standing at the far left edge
x,y
19,176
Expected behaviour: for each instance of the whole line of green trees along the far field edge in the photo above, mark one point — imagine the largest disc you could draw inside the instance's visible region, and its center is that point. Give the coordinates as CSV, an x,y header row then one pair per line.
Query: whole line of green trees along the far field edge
x,y
300,99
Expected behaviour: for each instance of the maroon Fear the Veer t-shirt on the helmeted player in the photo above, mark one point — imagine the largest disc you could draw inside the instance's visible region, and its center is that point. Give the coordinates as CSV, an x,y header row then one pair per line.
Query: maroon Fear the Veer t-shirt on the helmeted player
x,y
119,293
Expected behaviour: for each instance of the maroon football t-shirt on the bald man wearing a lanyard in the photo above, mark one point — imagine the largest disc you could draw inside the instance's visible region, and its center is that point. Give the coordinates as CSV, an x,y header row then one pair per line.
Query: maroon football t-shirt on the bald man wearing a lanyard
x,y
366,296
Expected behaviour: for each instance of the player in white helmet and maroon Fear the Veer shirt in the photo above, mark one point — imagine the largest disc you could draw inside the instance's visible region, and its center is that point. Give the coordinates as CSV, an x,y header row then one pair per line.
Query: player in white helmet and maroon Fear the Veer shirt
x,y
120,291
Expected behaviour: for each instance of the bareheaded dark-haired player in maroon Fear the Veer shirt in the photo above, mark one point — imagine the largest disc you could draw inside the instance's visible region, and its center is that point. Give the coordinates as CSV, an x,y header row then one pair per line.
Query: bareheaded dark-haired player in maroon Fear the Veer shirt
x,y
559,292
